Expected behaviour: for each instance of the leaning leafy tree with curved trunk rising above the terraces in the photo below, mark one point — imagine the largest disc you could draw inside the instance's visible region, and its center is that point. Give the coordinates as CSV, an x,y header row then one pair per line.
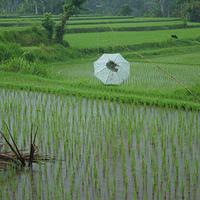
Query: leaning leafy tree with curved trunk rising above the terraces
x,y
70,8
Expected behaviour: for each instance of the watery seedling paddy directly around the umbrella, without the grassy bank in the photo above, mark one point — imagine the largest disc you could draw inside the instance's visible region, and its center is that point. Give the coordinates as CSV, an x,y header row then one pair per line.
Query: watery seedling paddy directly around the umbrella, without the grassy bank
x,y
143,76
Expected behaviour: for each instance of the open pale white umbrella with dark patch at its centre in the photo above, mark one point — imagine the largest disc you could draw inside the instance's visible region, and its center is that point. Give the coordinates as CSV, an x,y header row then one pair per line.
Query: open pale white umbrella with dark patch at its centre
x,y
112,69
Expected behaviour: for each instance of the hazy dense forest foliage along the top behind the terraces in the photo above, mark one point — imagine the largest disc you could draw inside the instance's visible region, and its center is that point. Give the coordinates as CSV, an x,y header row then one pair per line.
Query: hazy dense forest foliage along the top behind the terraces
x,y
158,8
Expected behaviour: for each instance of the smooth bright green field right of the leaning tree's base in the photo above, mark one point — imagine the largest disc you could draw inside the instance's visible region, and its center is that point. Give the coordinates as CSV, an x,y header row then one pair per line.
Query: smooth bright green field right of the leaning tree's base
x,y
94,40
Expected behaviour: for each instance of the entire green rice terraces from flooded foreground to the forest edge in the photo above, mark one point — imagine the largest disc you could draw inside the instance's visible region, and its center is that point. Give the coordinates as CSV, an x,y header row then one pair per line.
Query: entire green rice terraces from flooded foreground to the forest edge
x,y
66,135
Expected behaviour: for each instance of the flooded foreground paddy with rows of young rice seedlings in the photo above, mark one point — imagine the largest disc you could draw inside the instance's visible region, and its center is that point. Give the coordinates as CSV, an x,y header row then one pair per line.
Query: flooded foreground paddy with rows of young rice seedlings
x,y
103,150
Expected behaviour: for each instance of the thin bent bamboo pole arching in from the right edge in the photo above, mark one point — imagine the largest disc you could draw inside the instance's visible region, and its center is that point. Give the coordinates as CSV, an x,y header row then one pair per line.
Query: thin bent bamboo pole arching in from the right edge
x,y
156,66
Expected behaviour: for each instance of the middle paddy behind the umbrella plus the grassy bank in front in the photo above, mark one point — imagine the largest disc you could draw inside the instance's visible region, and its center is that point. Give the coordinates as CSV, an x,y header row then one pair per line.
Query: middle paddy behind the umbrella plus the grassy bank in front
x,y
147,83
